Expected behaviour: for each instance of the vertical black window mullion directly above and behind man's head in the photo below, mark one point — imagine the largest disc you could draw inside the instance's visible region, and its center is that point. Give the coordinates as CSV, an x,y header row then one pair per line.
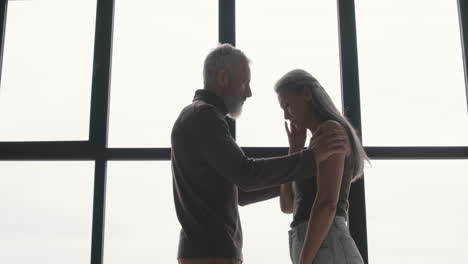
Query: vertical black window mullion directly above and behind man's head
x,y
227,34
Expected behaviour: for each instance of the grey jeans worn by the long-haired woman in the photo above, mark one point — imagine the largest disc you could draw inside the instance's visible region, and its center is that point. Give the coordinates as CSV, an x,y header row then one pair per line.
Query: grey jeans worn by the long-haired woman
x,y
337,248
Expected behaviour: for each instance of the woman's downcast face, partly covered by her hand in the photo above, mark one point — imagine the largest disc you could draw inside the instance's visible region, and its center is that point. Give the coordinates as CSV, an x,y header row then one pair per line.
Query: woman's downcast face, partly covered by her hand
x,y
295,108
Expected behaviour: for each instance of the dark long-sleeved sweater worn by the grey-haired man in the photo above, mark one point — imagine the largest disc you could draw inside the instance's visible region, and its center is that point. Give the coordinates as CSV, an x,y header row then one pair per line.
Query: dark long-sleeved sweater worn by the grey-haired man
x,y
212,175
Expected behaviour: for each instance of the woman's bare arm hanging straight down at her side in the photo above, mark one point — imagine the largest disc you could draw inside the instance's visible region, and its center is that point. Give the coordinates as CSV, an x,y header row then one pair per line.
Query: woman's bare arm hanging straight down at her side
x,y
323,210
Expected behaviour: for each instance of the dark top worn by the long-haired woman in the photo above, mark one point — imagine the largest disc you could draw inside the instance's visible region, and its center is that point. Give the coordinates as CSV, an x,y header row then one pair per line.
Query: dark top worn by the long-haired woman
x,y
305,191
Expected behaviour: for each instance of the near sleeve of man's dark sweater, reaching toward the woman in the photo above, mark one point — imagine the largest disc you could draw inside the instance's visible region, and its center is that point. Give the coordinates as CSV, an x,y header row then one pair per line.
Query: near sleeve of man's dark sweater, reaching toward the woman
x,y
222,153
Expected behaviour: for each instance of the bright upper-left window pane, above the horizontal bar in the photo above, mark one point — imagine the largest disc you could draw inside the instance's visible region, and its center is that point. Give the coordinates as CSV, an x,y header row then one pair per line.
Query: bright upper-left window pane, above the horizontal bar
x,y
46,79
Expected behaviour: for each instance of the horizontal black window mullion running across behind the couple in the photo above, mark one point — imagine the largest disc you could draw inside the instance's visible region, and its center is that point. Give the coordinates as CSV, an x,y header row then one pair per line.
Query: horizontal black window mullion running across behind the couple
x,y
81,150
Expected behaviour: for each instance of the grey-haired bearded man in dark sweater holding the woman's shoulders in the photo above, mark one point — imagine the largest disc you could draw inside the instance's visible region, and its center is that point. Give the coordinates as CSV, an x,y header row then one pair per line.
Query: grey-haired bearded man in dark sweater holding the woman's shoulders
x,y
211,174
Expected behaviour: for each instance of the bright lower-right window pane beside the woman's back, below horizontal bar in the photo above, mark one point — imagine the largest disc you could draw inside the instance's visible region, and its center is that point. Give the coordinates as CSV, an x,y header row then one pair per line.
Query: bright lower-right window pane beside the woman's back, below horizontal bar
x,y
416,211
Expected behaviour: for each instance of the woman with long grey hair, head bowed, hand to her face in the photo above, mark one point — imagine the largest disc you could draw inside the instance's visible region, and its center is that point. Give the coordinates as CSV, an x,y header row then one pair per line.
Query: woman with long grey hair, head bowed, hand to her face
x,y
320,205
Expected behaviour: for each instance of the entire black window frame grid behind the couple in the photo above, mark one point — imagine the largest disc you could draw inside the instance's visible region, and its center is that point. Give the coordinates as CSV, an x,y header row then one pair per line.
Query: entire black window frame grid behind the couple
x,y
95,148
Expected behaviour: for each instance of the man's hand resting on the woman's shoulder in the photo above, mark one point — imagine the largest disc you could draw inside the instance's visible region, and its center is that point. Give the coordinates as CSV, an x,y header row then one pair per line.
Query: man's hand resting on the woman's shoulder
x,y
329,138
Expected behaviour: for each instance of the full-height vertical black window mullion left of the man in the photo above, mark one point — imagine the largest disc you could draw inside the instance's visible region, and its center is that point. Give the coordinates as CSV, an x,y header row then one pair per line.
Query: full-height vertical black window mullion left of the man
x,y
98,130
